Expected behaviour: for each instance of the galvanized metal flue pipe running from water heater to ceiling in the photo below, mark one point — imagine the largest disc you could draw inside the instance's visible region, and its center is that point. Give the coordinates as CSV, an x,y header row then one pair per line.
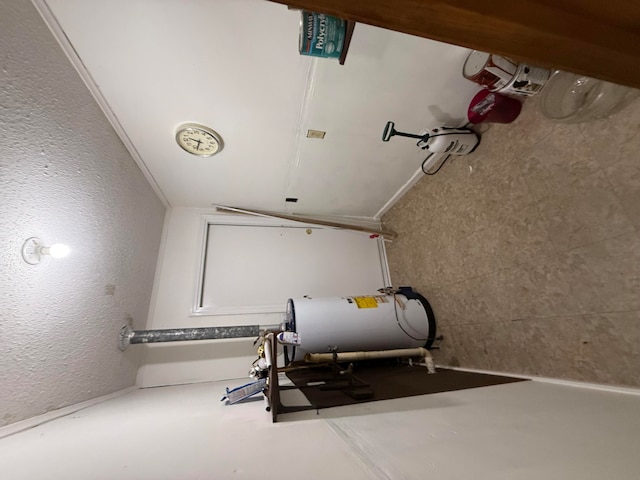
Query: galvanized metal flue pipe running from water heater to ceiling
x,y
129,336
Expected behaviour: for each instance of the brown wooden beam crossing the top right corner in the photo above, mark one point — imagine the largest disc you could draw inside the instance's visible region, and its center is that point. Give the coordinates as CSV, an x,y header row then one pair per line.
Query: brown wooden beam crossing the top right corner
x,y
597,38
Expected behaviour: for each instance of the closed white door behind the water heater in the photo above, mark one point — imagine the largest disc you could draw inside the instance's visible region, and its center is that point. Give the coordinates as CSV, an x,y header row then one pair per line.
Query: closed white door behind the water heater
x,y
256,268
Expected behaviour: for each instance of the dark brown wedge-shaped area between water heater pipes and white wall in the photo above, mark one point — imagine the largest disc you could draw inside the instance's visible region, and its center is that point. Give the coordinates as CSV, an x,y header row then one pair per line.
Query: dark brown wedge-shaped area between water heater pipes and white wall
x,y
386,382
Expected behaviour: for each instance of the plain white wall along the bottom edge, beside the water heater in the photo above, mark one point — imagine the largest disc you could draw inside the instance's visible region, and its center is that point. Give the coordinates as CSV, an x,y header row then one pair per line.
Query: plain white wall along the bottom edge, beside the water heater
x,y
519,431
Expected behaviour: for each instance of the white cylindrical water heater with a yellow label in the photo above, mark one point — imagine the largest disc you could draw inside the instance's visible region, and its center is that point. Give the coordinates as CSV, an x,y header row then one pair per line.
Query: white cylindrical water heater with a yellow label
x,y
403,319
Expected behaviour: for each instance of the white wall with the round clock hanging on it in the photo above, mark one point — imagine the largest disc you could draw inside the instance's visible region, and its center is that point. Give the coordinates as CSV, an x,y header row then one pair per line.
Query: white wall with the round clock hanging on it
x,y
233,65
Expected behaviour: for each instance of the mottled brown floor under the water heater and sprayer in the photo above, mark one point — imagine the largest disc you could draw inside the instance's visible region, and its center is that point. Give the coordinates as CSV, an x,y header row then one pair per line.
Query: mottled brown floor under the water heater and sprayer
x,y
529,249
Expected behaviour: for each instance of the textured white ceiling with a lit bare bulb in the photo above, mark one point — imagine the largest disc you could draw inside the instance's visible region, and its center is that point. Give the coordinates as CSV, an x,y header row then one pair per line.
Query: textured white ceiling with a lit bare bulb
x,y
65,177
